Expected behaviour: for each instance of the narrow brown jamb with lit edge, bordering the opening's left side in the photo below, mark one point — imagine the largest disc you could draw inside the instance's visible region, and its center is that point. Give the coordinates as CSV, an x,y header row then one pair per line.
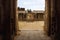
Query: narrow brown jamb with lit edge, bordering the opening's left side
x,y
14,17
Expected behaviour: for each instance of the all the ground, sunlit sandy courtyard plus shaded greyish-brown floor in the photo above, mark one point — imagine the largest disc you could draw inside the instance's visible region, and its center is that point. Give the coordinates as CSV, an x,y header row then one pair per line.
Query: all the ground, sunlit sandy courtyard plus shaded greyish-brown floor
x,y
31,31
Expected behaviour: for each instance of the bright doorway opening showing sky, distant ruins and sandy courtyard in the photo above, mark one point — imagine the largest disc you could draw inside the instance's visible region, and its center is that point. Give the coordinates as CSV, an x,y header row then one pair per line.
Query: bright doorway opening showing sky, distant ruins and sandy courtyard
x,y
31,14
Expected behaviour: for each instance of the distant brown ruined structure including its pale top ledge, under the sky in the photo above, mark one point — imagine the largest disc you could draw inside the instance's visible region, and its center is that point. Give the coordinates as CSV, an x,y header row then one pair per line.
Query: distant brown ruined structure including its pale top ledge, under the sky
x,y
30,16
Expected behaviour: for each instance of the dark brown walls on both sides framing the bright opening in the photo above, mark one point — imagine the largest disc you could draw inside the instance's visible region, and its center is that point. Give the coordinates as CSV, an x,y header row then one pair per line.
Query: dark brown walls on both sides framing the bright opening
x,y
8,21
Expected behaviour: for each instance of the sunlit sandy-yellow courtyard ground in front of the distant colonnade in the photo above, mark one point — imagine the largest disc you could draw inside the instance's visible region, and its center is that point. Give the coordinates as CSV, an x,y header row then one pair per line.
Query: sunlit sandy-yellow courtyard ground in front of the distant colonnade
x,y
35,25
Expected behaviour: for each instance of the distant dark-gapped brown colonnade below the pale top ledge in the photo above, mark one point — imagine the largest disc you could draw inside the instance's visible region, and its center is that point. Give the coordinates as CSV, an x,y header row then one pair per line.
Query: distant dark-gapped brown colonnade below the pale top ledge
x,y
31,16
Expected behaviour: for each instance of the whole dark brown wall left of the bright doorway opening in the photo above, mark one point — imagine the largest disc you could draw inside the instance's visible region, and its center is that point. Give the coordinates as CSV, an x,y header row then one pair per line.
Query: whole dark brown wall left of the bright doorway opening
x,y
8,18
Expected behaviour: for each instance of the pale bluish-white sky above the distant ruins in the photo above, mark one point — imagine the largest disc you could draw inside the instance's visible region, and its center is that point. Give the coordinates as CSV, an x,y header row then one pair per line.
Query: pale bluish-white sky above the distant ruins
x,y
31,4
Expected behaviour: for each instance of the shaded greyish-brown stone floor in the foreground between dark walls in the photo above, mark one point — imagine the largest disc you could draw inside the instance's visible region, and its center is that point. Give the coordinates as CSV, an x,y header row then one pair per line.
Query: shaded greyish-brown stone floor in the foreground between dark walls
x,y
32,35
